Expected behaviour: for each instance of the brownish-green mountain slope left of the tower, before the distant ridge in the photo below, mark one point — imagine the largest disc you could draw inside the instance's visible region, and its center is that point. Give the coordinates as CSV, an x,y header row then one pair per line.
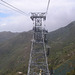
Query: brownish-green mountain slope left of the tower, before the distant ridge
x,y
14,54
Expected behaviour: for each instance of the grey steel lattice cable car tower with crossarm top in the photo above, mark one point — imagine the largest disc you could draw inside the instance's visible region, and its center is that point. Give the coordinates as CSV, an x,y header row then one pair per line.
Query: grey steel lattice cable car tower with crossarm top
x,y
38,59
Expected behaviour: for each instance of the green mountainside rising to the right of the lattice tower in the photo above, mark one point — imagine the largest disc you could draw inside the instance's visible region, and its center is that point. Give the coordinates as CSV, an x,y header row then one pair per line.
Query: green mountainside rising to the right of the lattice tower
x,y
62,52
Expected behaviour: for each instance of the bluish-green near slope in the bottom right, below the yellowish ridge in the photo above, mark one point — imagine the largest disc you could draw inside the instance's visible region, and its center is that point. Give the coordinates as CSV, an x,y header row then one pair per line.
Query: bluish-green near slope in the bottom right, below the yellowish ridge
x,y
66,67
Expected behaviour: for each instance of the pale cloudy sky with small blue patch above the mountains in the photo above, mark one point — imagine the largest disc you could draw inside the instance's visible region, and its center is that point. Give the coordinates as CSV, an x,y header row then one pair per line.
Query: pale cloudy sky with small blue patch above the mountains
x,y
60,13
